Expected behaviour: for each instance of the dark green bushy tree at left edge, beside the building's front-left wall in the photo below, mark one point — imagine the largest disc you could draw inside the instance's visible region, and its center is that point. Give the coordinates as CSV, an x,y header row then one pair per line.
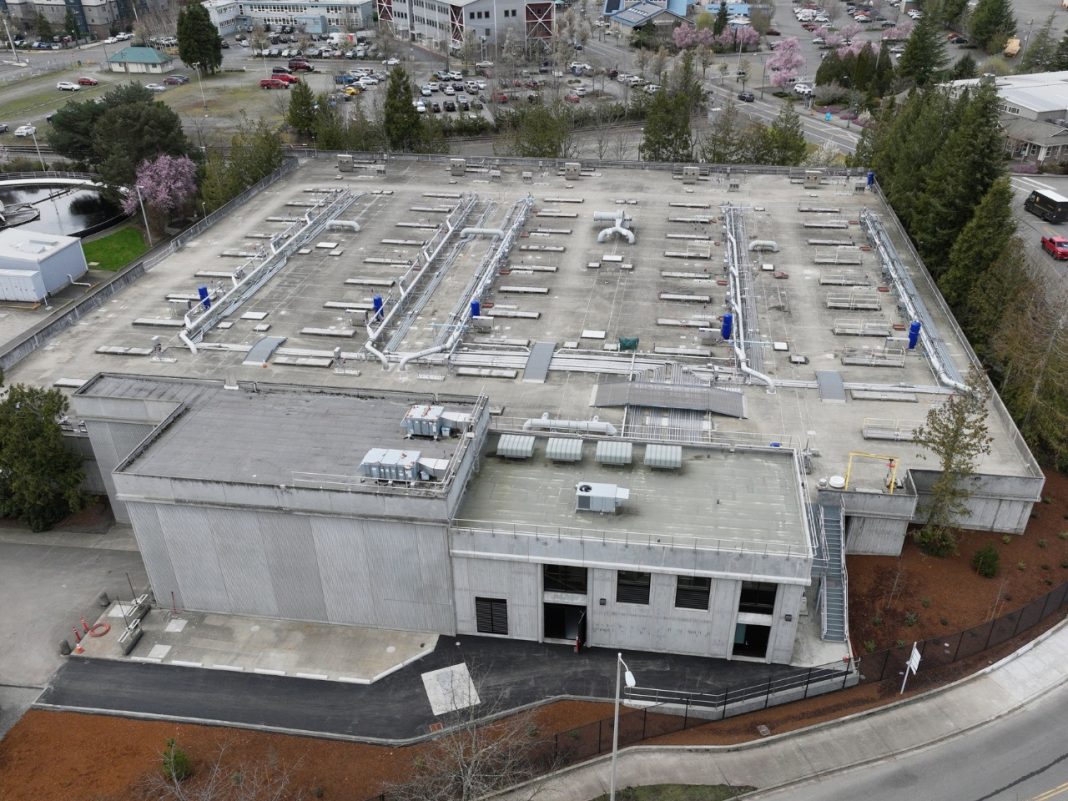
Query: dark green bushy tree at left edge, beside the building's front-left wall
x,y
40,478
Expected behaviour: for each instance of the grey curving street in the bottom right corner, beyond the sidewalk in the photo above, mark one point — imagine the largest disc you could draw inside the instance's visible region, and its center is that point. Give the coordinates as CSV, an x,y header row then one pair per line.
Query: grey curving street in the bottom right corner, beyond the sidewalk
x,y
1024,756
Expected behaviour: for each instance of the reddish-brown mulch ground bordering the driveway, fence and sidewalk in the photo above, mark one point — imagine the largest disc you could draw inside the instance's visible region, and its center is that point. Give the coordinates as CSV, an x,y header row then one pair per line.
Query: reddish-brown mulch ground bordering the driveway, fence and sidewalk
x,y
106,759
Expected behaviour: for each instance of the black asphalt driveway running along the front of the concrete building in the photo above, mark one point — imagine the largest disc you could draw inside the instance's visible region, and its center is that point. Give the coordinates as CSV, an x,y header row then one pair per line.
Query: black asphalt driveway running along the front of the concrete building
x,y
508,673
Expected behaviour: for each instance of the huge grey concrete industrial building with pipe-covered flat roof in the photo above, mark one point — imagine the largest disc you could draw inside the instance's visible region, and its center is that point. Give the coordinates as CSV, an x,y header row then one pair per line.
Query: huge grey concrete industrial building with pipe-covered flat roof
x,y
636,409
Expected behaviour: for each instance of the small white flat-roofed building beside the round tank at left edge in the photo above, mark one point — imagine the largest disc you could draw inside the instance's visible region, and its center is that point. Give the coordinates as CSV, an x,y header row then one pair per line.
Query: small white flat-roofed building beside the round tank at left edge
x,y
36,265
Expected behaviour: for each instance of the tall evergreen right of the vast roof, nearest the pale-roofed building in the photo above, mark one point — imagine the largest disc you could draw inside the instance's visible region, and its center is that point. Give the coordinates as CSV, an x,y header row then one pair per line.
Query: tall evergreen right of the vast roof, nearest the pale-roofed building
x,y
968,163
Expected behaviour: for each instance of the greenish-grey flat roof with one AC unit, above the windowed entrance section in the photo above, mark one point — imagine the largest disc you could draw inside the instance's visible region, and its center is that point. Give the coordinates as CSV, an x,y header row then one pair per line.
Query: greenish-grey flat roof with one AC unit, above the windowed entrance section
x,y
749,499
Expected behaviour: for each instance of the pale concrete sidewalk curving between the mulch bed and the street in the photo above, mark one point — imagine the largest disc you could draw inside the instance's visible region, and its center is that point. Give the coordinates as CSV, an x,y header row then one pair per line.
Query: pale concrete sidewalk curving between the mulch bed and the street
x,y
859,740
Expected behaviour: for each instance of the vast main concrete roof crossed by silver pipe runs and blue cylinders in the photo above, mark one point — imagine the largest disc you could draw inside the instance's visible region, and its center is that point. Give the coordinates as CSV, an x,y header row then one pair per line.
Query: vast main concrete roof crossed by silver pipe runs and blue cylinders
x,y
560,286
